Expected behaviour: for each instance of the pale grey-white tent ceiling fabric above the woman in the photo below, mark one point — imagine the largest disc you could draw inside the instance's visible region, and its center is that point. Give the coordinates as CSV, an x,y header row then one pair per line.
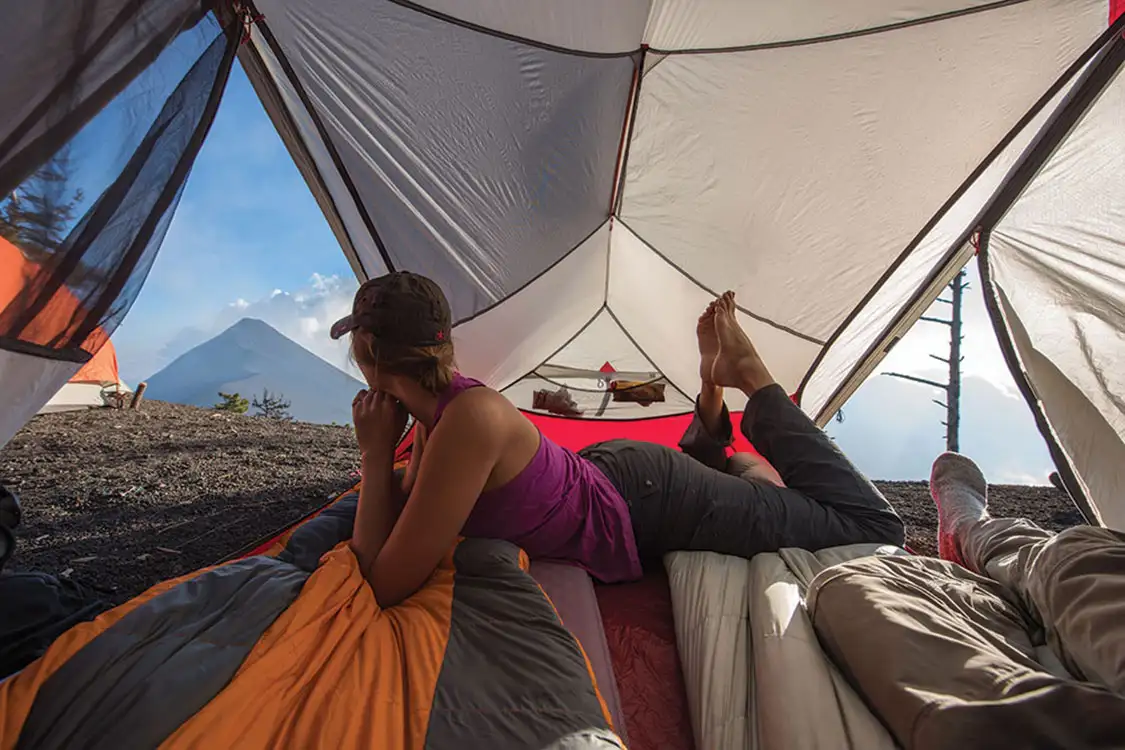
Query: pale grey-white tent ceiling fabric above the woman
x,y
481,147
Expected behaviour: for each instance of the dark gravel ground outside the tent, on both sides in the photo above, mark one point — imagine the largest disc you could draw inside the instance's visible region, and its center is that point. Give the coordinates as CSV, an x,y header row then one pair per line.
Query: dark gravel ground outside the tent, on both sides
x,y
122,500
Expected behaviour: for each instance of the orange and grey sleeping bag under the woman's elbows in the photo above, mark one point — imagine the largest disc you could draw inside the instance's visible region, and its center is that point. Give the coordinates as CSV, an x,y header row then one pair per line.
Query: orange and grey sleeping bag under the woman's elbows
x,y
291,649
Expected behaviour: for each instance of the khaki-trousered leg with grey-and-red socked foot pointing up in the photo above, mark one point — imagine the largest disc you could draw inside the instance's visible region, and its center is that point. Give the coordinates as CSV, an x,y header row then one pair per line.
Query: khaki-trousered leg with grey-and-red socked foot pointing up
x,y
1074,583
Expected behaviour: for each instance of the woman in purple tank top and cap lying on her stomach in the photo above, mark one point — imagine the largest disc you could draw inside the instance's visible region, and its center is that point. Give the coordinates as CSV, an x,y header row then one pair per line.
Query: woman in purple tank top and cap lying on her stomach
x,y
483,469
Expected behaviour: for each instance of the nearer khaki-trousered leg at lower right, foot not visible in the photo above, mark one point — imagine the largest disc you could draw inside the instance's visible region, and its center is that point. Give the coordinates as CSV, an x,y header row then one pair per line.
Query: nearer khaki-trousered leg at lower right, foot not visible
x,y
944,658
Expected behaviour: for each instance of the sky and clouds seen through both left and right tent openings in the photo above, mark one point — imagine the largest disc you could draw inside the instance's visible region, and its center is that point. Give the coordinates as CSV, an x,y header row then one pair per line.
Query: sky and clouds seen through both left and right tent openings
x,y
249,240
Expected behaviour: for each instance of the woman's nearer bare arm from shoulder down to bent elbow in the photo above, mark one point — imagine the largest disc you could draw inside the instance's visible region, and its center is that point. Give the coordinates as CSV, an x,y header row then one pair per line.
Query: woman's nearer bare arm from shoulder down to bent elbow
x,y
455,468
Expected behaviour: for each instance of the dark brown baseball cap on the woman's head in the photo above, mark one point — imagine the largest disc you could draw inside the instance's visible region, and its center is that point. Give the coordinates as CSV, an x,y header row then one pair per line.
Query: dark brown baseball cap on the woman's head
x,y
401,308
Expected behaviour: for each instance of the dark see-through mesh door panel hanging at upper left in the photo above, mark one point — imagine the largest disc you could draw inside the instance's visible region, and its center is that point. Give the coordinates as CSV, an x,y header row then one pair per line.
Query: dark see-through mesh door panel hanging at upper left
x,y
91,218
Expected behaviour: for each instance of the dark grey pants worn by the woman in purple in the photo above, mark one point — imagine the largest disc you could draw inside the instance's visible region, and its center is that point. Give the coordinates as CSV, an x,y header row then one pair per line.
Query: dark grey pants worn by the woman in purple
x,y
678,503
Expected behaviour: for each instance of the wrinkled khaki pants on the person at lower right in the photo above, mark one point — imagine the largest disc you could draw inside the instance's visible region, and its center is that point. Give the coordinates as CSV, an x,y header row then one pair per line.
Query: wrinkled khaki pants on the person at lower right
x,y
948,658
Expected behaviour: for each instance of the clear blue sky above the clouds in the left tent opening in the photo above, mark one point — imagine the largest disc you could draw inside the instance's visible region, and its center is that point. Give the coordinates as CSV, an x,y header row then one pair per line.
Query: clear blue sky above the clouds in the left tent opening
x,y
247,225
